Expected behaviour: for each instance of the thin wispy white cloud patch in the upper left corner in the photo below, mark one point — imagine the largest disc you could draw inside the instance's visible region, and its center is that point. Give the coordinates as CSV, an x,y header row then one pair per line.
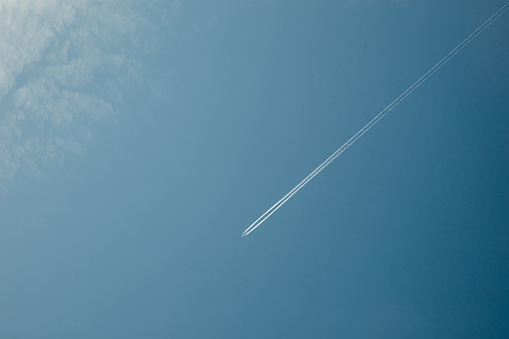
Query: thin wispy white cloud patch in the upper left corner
x,y
63,67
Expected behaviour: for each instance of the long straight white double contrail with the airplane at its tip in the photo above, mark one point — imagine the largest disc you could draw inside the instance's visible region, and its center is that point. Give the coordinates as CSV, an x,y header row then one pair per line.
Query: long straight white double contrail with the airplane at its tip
x,y
376,119
